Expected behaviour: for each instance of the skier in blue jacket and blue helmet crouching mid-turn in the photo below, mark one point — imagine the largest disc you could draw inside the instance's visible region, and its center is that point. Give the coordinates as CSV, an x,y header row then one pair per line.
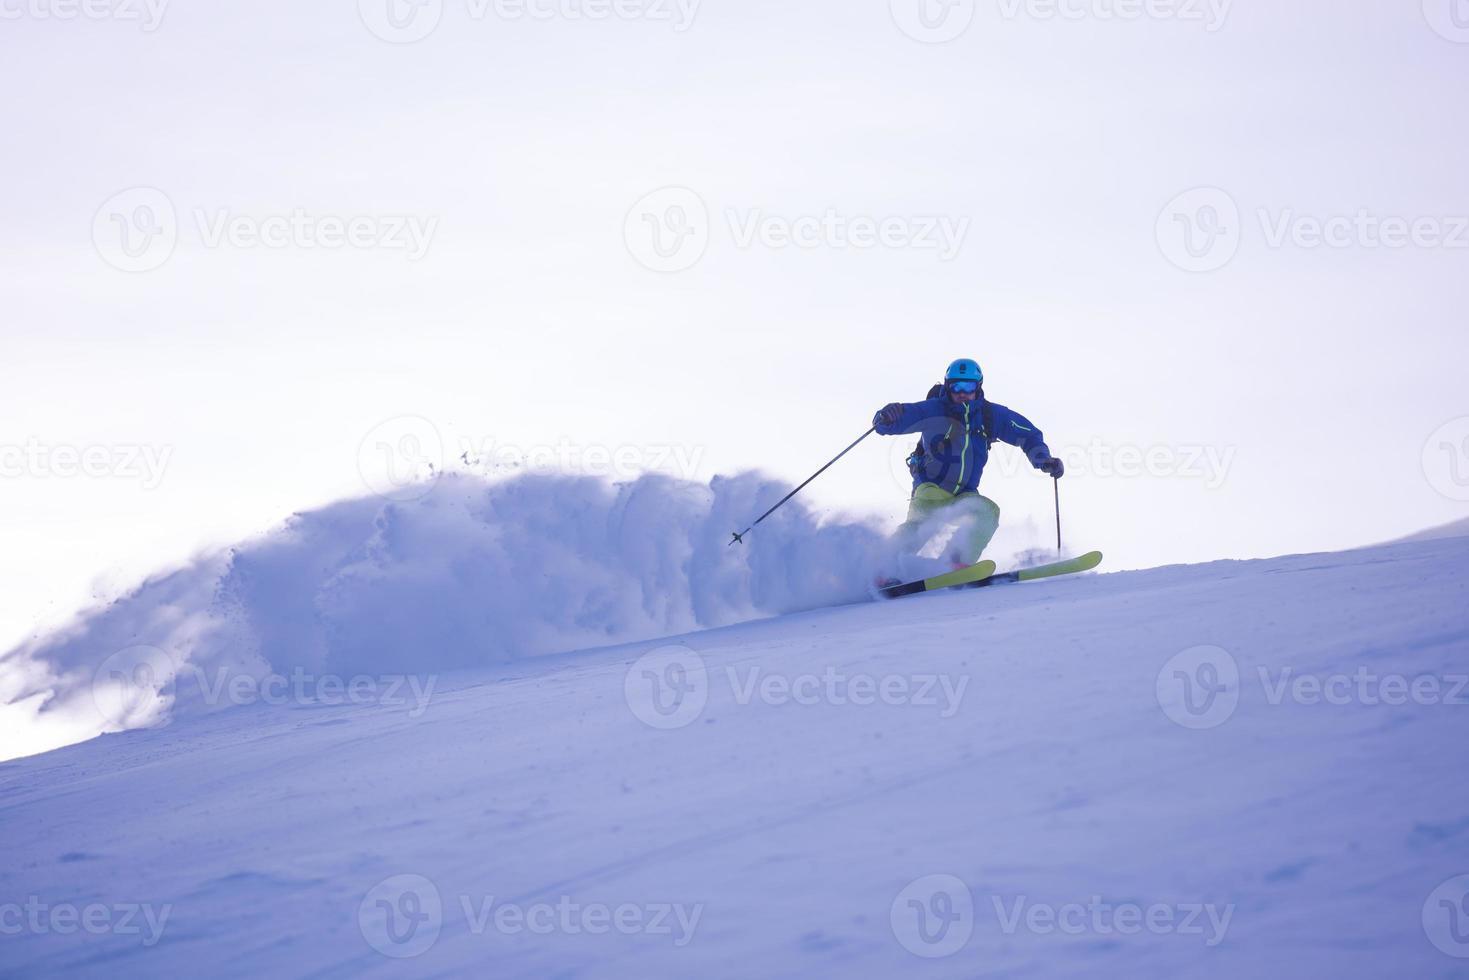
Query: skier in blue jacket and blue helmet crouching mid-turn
x,y
957,428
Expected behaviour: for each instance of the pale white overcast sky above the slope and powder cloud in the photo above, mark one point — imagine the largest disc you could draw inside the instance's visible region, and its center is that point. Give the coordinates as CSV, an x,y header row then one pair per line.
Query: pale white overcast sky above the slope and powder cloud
x,y
1318,377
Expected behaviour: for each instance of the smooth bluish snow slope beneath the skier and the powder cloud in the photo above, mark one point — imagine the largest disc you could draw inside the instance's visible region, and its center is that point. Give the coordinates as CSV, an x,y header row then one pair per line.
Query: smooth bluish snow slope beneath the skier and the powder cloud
x,y
1061,775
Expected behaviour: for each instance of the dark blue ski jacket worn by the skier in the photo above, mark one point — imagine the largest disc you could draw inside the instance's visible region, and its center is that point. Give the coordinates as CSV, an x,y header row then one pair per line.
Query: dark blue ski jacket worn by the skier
x,y
957,444
